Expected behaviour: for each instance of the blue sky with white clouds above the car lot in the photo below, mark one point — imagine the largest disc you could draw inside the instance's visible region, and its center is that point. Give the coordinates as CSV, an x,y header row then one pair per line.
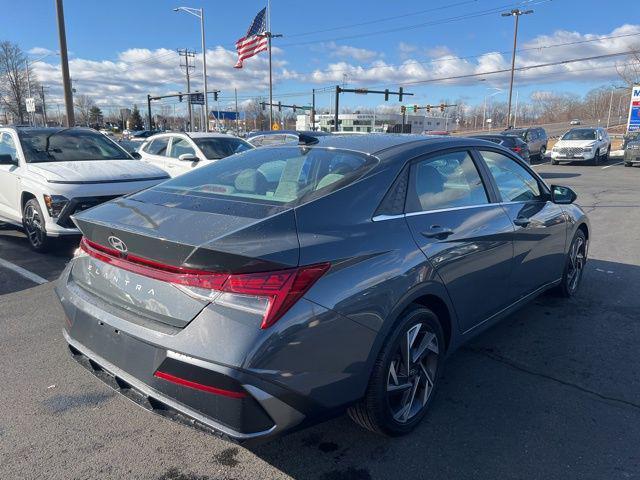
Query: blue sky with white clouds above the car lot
x,y
122,50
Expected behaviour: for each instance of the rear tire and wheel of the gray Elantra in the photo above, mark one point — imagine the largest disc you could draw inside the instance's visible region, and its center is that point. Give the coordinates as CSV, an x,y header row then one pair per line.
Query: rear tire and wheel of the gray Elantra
x,y
383,408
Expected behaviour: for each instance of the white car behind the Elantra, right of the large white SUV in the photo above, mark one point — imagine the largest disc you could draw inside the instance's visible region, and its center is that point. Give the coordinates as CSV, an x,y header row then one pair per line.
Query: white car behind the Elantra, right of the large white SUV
x,y
178,153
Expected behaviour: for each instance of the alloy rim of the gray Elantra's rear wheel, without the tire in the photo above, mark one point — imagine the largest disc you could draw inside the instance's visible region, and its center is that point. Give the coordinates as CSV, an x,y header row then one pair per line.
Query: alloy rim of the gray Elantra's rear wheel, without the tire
x,y
412,373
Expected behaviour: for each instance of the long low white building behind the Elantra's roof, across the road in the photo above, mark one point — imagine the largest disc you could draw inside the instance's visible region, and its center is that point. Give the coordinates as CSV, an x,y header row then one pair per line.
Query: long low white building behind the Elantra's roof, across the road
x,y
375,123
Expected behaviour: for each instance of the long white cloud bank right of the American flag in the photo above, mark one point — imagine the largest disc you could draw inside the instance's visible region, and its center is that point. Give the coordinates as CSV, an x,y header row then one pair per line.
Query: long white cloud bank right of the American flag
x,y
444,63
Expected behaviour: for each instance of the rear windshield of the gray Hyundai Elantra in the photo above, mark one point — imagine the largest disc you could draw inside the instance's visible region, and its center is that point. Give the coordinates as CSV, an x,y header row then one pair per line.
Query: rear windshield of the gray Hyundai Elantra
x,y
276,175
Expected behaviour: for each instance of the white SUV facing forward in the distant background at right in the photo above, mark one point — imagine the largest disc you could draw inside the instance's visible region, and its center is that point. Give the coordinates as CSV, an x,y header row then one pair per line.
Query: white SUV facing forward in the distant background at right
x,y
582,145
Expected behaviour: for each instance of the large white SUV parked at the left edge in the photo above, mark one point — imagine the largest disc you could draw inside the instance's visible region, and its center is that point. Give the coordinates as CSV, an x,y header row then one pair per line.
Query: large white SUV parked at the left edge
x,y
48,174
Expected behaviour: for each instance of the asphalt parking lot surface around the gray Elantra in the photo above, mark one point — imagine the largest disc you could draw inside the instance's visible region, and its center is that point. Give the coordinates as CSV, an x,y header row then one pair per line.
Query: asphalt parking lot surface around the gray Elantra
x,y
551,392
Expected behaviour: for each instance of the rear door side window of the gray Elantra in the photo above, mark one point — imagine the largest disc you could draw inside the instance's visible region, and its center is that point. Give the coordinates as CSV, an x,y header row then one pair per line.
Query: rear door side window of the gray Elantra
x,y
448,180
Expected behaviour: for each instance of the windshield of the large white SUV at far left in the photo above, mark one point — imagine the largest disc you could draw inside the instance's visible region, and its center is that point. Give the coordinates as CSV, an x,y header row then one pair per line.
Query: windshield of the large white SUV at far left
x,y
70,145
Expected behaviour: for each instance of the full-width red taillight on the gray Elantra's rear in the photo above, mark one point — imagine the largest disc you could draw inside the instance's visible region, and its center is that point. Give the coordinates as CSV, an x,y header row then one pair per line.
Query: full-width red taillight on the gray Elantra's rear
x,y
269,294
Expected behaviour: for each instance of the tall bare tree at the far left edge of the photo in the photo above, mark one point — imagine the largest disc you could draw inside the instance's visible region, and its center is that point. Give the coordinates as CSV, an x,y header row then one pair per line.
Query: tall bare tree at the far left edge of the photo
x,y
13,80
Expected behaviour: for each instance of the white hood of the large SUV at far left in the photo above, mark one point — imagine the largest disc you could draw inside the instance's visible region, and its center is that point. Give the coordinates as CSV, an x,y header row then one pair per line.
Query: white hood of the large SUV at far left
x,y
97,171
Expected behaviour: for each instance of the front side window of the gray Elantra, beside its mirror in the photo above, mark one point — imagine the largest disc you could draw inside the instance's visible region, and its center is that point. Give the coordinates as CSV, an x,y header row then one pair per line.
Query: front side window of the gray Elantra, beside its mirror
x,y
514,182
